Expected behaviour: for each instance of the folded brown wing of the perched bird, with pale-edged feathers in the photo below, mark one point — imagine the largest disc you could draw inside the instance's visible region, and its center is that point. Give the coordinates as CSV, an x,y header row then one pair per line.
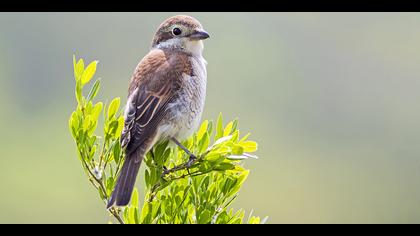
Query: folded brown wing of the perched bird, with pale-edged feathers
x,y
152,88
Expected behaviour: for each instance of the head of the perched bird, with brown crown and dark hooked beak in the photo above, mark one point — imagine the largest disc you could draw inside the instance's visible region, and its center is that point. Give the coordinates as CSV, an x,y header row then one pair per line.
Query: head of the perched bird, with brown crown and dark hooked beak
x,y
180,32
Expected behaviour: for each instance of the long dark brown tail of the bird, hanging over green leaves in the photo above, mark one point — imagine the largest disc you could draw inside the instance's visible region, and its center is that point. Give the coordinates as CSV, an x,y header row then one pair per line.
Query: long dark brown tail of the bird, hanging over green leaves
x,y
126,179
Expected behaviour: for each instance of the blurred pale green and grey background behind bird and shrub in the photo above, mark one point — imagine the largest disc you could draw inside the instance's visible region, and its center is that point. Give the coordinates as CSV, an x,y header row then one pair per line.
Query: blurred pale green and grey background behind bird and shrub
x,y
332,99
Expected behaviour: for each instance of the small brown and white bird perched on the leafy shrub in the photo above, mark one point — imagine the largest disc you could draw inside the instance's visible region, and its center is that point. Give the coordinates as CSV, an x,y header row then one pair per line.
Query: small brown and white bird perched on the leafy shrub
x,y
165,99
